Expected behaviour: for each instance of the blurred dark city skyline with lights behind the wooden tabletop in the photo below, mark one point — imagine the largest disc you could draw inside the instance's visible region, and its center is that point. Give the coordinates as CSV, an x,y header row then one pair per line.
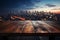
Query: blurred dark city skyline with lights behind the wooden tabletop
x,y
28,15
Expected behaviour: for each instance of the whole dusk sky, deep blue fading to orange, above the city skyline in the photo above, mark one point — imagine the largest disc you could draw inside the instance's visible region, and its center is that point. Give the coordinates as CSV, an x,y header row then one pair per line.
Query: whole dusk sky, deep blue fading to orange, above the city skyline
x,y
32,5
